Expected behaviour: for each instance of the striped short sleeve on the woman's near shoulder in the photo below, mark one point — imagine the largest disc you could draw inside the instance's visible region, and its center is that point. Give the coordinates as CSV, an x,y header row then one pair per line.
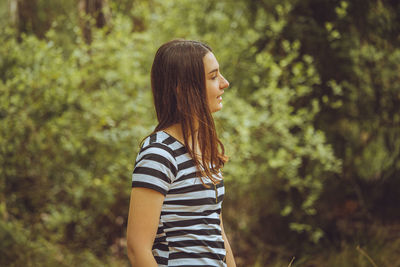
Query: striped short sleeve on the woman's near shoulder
x,y
155,168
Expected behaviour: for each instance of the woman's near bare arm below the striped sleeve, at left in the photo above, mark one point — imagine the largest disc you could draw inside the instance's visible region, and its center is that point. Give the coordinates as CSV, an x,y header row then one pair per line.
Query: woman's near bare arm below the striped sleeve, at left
x,y
144,215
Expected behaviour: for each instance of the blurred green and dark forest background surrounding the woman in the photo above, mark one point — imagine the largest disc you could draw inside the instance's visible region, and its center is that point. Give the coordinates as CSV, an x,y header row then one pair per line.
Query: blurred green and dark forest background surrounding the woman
x,y
311,123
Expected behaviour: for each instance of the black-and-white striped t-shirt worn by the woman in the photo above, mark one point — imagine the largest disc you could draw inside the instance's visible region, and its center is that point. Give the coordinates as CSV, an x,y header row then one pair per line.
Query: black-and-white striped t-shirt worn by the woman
x,y
189,232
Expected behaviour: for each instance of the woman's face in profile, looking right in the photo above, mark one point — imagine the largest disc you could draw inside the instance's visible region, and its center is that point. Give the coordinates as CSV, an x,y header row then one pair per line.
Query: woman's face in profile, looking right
x,y
215,82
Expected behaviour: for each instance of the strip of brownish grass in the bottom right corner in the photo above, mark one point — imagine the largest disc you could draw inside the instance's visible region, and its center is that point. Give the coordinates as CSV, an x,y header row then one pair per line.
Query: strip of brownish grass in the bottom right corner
x,y
377,247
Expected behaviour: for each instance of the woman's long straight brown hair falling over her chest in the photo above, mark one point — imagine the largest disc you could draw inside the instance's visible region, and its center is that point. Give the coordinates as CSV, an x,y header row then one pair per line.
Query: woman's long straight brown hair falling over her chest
x,y
179,91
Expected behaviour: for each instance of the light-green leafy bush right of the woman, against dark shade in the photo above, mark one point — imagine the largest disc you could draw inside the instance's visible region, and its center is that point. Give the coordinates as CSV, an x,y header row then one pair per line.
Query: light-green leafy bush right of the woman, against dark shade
x,y
286,159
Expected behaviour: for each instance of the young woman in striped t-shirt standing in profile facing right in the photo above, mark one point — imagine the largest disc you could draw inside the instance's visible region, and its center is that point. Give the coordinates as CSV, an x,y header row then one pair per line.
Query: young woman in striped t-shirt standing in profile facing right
x,y
177,186
